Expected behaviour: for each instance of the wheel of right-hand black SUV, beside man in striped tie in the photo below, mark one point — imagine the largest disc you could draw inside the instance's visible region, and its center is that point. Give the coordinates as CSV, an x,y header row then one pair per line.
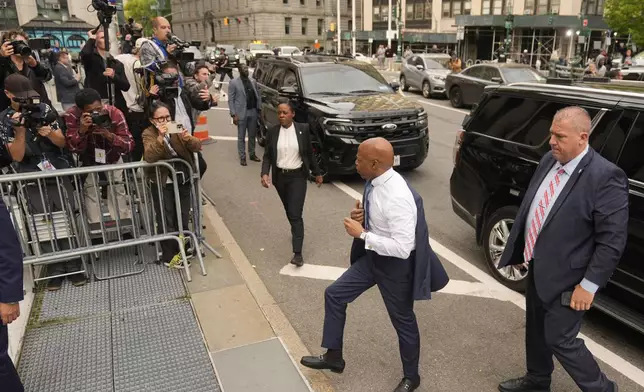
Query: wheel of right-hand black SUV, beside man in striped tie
x,y
495,236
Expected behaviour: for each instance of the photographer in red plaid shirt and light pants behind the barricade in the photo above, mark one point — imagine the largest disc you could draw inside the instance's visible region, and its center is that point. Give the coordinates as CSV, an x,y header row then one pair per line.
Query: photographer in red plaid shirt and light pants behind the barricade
x,y
100,135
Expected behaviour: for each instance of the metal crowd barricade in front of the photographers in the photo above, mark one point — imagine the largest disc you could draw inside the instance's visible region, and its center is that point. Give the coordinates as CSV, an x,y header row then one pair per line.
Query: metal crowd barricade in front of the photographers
x,y
49,212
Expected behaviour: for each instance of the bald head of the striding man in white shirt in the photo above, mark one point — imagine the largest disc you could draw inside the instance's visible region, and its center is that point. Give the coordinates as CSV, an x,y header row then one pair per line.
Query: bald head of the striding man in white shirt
x,y
375,156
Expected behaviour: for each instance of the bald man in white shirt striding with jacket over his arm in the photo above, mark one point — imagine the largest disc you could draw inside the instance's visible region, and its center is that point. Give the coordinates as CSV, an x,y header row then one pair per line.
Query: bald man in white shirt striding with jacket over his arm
x,y
391,250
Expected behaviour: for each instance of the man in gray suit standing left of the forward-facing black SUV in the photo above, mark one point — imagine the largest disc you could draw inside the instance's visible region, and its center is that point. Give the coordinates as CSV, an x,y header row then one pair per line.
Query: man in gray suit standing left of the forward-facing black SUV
x,y
245,104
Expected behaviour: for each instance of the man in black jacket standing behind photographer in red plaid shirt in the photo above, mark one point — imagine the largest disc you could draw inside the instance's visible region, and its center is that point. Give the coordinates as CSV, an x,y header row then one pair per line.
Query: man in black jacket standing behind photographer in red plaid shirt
x,y
100,69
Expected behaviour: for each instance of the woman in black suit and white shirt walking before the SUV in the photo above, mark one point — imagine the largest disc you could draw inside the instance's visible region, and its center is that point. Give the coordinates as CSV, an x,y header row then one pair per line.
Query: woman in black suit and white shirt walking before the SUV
x,y
289,154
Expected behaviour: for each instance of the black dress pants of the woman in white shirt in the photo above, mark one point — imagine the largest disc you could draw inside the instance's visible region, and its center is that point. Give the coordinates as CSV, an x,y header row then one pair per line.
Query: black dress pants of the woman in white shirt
x,y
291,187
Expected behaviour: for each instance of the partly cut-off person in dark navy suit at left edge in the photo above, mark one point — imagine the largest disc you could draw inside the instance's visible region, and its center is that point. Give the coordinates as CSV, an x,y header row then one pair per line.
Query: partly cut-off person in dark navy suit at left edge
x,y
11,293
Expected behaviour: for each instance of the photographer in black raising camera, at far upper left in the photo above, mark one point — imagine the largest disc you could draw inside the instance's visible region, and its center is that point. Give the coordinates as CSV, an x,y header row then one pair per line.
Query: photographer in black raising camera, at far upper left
x,y
17,57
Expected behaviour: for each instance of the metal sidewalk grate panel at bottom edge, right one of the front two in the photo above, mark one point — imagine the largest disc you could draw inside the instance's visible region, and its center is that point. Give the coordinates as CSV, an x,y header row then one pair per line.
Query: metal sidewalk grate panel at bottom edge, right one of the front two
x,y
160,348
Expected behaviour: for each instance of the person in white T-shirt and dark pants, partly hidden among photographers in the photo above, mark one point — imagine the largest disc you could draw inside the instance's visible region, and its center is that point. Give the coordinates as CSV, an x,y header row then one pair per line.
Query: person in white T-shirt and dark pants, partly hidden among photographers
x,y
136,119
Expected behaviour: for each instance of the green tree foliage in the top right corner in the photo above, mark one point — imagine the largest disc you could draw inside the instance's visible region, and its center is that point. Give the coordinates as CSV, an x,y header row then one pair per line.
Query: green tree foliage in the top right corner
x,y
626,17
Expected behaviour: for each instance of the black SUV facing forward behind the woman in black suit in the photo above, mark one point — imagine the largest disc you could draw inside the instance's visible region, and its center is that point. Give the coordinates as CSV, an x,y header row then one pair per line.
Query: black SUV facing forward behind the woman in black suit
x,y
345,102
